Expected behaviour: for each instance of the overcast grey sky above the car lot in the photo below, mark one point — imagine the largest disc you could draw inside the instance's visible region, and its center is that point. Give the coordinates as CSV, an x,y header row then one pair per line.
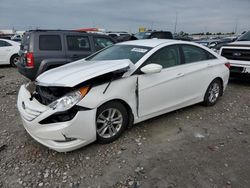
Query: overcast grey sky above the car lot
x,y
192,15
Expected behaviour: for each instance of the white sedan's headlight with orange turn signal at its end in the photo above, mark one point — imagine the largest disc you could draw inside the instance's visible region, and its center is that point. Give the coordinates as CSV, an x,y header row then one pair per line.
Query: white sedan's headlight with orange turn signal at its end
x,y
69,100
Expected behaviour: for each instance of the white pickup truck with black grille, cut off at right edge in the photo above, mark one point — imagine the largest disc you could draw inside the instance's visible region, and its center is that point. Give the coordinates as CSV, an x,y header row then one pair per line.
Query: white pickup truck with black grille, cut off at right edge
x,y
238,54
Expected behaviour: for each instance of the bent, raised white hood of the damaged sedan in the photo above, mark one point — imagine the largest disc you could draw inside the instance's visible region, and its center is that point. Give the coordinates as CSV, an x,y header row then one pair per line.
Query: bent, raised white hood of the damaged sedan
x,y
77,72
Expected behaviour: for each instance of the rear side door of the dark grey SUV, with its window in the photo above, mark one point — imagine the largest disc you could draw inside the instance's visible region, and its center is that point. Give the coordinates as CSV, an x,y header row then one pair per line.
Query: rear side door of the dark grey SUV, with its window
x,y
78,46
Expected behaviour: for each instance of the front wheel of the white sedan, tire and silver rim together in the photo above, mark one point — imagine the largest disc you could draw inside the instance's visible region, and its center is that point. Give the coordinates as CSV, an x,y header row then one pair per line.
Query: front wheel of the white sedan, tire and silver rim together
x,y
111,121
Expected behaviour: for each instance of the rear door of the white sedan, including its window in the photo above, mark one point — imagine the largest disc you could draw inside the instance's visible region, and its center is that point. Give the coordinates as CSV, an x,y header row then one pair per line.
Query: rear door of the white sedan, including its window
x,y
197,71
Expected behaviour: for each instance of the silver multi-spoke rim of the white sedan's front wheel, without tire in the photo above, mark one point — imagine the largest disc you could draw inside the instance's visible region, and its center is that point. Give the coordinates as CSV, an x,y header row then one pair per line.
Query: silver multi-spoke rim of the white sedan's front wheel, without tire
x,y
109,122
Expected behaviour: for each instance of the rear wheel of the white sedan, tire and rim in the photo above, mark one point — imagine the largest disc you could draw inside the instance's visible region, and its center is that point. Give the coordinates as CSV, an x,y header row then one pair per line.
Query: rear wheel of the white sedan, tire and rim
x,y
214,91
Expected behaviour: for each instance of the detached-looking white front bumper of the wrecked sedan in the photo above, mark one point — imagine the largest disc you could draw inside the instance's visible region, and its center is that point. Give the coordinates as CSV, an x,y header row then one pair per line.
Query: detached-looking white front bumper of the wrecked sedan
x,y
60,136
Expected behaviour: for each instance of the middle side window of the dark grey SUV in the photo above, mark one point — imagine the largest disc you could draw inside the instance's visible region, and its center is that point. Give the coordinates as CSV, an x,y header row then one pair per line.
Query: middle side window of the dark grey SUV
x,y
78,43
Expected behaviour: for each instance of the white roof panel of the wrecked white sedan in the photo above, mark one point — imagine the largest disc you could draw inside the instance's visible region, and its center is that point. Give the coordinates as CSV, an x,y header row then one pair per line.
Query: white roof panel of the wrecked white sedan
x,y
148,42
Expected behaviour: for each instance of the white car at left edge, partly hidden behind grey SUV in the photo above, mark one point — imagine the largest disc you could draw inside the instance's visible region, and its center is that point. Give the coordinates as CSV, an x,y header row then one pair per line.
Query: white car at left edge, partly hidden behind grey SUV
x,y
9,52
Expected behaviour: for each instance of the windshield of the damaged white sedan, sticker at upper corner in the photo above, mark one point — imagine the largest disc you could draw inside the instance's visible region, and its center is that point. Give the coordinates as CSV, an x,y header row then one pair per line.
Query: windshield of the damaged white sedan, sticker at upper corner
x,y
116,52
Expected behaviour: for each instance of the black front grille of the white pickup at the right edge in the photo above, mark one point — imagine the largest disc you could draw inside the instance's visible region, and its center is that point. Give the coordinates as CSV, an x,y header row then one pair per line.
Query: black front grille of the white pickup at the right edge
x,y
236,54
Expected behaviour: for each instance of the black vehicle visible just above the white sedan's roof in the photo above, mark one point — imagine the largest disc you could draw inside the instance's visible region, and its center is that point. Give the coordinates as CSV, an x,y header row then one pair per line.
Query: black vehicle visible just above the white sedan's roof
x,y
154,34
